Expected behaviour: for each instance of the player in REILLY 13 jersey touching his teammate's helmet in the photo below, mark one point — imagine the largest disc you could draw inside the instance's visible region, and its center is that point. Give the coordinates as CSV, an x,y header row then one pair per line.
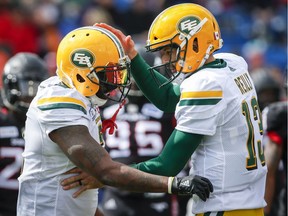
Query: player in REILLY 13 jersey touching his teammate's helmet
x,y
219,122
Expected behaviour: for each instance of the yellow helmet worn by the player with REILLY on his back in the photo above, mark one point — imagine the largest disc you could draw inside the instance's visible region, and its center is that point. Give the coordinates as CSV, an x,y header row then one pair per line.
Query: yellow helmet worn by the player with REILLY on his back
x,y
192,30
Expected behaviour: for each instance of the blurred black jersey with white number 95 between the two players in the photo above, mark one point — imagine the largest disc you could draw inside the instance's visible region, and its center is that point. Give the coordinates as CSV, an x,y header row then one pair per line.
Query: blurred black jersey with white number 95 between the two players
x,y
142,131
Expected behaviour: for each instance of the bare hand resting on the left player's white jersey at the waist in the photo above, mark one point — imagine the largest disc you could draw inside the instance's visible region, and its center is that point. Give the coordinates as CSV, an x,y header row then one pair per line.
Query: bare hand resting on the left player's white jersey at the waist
x,y
82,180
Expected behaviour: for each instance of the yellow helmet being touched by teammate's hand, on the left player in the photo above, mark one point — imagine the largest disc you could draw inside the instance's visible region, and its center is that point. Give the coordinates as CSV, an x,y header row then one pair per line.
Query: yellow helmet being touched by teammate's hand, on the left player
x,y
92,60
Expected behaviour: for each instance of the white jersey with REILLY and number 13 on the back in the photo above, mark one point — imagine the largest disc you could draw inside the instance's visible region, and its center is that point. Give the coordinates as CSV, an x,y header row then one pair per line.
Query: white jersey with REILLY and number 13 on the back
x,y
220,102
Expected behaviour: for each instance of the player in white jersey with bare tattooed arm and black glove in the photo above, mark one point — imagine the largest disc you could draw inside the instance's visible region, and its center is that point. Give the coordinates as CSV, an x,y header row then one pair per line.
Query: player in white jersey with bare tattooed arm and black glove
x,y
63,130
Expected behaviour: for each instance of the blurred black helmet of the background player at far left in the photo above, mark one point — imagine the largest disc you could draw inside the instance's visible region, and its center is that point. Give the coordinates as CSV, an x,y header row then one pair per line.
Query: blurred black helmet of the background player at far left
x,y
21,76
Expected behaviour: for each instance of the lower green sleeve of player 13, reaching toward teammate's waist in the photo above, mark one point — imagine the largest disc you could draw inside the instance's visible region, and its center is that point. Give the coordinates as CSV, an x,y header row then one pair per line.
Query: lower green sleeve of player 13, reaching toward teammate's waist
x,y
174,156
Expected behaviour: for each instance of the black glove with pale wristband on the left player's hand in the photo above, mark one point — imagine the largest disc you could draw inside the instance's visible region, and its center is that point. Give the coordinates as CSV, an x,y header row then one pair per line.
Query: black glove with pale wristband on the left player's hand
x,y
190,185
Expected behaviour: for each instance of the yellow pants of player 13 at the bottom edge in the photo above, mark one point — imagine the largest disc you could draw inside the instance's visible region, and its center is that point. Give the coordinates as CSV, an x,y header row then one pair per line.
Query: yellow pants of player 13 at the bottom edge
x,y
246,212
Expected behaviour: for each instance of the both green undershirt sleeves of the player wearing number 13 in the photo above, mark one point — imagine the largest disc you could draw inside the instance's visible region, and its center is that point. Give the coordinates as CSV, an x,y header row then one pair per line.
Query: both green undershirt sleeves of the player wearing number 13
x,y
181,145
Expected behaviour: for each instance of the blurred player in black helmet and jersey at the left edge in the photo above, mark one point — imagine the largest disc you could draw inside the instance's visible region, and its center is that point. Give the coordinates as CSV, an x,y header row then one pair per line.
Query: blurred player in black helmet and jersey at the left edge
x,y
21,76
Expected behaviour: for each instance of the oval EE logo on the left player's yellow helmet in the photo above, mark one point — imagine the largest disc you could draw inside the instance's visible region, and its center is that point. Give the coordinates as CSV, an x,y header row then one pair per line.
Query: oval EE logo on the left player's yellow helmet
x,y
82,58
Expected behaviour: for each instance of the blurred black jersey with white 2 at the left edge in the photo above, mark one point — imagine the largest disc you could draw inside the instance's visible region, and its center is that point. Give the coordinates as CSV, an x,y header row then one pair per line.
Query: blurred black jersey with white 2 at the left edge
x,y
11,148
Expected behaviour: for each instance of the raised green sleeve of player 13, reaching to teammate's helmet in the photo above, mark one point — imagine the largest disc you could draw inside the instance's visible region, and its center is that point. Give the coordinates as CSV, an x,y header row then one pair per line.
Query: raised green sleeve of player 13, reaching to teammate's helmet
x,y
164,98
